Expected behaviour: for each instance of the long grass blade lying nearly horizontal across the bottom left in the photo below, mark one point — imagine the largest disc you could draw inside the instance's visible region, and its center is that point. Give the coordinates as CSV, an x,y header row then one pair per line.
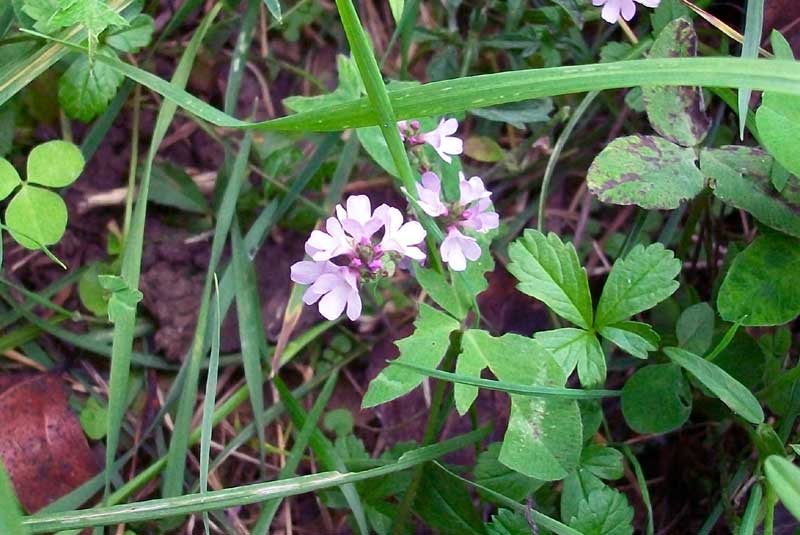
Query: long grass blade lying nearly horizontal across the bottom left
x,y
248,494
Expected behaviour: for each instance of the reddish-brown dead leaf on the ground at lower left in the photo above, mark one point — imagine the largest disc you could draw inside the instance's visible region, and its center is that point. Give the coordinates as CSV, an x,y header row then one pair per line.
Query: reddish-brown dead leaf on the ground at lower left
x,y
42,444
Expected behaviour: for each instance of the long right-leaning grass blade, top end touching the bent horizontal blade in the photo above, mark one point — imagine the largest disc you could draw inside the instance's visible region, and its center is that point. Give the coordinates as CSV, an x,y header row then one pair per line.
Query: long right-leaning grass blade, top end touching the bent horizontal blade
x,y
176,464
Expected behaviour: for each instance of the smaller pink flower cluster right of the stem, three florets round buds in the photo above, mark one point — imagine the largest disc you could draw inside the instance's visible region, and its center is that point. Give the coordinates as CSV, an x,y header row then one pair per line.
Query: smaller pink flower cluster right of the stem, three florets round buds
x,y
471,211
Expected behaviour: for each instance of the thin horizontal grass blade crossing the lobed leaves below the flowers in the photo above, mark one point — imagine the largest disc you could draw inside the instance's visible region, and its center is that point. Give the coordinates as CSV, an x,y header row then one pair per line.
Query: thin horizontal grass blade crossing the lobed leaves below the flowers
x,y
509,388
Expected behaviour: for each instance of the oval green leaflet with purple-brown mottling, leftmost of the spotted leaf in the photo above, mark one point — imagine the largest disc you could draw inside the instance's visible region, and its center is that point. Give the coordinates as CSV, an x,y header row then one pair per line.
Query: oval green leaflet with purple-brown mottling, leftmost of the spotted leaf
x,y
648,171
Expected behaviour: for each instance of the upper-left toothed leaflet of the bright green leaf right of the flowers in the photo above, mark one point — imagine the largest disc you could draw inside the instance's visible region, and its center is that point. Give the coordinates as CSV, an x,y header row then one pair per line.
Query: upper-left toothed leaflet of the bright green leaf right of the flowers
x,y
550,271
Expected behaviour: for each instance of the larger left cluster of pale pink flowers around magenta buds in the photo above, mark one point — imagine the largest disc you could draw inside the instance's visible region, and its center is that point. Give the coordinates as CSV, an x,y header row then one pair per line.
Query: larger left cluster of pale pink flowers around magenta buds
x,y
351,250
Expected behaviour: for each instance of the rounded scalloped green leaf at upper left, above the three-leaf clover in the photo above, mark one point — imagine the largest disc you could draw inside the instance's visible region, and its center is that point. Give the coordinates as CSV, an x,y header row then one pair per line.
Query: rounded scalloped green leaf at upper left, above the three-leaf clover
x,y
86,88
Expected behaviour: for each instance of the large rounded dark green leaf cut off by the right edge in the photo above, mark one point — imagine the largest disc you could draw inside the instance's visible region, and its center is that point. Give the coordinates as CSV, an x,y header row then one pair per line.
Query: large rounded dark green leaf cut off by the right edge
x,y
760,288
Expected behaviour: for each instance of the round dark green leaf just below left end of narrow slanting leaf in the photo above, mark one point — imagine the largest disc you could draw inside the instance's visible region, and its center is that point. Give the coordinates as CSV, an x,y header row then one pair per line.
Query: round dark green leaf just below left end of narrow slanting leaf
x,y
656,399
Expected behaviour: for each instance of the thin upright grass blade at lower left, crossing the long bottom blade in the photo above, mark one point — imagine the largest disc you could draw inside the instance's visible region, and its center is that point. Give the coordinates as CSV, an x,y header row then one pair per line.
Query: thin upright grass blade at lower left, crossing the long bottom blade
x,y
207,425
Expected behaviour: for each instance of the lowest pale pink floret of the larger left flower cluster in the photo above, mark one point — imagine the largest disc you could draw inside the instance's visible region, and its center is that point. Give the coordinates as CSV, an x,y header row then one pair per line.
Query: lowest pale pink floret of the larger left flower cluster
x,y
335,287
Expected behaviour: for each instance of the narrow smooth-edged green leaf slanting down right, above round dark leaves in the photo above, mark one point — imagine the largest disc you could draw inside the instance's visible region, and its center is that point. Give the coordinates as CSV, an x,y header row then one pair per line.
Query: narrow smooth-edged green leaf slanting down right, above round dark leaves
x,y
730,391
